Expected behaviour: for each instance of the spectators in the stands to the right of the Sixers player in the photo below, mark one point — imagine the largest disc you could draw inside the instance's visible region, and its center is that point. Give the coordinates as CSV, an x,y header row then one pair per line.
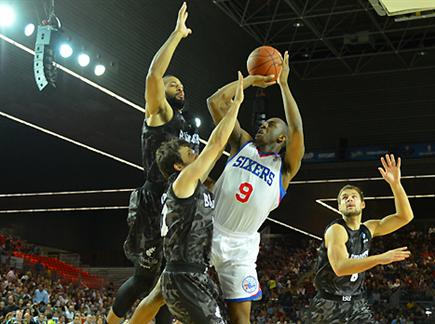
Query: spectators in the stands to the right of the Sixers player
x,y
401,292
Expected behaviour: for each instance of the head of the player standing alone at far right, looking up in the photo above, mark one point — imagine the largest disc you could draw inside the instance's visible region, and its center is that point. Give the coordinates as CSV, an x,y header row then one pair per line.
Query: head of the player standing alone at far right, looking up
x,y
350,201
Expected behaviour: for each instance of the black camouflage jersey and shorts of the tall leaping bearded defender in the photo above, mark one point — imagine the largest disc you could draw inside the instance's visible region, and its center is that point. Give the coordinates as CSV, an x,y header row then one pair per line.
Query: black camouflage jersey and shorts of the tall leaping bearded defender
x,y
143,243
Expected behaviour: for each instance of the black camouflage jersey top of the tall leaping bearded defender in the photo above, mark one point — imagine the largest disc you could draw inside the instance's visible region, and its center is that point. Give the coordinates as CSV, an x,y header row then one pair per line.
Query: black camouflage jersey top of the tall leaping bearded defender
x,y
153,137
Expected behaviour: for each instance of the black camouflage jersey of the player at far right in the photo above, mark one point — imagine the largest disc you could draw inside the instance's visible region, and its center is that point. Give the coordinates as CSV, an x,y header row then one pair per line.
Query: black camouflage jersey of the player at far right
x,y
326,281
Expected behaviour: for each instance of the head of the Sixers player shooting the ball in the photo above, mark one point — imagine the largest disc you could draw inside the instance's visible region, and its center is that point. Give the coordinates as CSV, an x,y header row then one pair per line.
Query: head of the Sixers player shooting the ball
x,y
272,132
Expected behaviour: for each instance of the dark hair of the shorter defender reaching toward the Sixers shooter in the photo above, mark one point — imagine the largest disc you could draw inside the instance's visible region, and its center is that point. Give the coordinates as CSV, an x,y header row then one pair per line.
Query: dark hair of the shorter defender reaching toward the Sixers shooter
x,y
168,154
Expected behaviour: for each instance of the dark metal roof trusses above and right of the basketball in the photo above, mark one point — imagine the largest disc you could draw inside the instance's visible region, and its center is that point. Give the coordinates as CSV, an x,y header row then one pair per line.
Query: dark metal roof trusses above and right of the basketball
x,y
335,37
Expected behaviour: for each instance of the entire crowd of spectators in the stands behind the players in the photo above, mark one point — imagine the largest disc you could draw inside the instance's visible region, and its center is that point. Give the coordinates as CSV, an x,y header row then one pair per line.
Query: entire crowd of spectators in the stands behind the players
x,y
399,293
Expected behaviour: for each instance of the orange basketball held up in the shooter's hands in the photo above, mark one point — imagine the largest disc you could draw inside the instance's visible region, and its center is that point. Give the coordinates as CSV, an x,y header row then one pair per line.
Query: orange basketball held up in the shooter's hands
x,y
264,60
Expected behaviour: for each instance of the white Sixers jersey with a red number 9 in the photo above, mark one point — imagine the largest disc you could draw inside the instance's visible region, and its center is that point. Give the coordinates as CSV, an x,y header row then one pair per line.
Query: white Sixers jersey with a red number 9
x,y
249,188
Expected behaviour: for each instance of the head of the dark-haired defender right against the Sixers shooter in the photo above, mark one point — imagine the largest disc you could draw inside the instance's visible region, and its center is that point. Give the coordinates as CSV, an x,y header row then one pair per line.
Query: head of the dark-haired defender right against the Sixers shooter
x,y
173,156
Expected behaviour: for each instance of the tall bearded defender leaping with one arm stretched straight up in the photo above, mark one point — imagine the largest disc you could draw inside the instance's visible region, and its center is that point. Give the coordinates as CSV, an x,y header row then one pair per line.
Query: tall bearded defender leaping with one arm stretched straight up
x,y
164,120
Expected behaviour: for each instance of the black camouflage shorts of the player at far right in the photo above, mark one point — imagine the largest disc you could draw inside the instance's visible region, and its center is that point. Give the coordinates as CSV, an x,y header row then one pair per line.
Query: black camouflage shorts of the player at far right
x,y
334,312
